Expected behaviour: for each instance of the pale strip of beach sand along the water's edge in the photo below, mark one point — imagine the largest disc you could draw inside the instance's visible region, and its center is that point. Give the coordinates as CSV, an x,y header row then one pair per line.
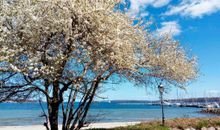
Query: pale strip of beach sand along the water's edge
x,y
94,125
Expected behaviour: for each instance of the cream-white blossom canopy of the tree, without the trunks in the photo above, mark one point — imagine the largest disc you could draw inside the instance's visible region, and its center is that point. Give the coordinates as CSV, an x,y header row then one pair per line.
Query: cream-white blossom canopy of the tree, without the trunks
x,y
49,33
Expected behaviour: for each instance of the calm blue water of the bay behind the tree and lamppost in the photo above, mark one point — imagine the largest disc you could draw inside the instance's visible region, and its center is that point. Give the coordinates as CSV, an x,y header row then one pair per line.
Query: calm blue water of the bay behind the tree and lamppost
x,y
29,113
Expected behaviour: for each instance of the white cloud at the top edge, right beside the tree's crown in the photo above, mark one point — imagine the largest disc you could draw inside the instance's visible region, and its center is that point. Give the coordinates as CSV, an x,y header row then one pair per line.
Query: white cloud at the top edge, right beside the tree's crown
x,y
138,7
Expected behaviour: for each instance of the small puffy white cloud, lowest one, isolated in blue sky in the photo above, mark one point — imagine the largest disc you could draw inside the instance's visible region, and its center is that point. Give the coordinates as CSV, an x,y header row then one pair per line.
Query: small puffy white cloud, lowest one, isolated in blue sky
x,y
171,28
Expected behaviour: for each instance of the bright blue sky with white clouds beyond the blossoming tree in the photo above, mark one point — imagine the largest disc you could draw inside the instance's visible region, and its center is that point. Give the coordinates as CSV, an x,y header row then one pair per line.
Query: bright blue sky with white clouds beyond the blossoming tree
x,y
196,24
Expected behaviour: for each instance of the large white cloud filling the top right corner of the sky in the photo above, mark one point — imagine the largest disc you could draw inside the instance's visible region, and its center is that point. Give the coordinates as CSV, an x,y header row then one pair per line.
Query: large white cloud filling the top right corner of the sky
x,y
195,8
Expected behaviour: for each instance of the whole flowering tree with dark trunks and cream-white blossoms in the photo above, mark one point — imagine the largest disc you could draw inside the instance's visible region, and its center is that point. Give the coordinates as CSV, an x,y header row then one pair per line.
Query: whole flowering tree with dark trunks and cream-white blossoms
x,y
64,49
